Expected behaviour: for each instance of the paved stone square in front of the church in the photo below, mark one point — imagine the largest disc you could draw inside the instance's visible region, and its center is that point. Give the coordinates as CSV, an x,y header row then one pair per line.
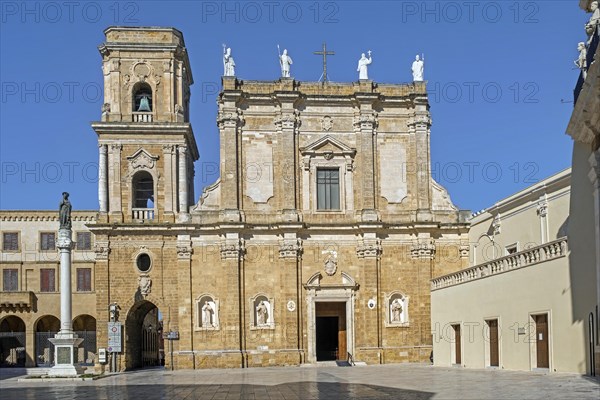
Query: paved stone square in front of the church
x,y
372,382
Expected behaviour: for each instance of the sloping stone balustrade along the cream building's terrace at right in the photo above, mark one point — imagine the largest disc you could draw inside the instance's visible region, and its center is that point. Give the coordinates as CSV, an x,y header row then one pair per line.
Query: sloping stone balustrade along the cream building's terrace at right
x,y
534,255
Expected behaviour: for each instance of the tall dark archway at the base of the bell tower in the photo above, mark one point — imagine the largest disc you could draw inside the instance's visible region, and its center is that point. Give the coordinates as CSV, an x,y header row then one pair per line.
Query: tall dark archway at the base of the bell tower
x,y
143,329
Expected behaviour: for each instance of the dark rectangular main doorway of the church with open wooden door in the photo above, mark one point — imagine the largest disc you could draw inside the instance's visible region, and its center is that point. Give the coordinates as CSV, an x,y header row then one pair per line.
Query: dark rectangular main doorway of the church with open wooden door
x,y
330,323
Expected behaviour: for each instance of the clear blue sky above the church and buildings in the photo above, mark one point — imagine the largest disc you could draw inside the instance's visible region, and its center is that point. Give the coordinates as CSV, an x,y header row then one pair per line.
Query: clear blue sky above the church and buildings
x,y
497,73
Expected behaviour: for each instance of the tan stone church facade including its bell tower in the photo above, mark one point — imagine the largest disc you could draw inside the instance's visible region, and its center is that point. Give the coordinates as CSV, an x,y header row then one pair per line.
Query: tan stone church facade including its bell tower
x,y
318,241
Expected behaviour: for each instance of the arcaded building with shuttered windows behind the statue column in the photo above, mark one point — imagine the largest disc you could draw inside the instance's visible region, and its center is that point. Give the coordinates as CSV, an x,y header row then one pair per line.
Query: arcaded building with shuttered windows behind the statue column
x,y
29,295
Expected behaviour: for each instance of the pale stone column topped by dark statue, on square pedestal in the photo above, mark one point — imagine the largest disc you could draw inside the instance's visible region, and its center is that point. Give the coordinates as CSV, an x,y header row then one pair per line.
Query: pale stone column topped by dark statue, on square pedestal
x,y
65,342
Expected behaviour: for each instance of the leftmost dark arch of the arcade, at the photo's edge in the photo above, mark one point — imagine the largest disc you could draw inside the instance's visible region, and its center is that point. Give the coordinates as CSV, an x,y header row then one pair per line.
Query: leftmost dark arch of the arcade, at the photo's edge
x,y
12,342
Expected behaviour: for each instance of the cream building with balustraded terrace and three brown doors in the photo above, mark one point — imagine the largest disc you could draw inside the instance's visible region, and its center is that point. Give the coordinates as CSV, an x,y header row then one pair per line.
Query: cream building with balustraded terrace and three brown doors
x,y
513,308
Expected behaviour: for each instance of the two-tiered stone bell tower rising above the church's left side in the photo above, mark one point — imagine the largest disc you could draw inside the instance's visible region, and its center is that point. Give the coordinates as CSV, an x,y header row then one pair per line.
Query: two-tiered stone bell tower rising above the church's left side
x,y
146,143
